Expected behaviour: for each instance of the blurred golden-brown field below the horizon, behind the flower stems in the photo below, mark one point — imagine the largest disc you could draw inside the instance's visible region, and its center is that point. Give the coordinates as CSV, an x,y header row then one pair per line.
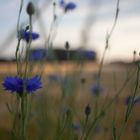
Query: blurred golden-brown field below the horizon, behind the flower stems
x,y
82,77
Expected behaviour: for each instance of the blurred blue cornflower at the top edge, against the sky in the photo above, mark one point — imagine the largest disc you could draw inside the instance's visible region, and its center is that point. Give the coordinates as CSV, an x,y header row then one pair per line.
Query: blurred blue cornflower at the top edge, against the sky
x,y
67,6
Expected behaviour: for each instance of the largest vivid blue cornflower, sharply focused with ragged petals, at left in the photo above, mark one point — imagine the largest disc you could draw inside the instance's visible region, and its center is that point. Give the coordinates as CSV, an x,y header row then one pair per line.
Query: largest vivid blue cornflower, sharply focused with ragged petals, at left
x,y
16,84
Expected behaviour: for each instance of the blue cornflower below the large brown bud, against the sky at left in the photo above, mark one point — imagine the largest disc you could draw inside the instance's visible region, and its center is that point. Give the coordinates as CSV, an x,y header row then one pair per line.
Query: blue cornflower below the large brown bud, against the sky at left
x,y
25,35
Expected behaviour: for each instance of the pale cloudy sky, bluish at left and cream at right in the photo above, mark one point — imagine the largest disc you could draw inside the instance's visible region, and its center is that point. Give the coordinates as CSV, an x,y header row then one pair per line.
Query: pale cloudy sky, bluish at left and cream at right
x,y
86,26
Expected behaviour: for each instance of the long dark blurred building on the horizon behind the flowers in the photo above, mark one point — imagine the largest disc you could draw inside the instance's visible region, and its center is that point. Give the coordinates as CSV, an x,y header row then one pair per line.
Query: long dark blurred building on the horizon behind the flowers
x,y
61,54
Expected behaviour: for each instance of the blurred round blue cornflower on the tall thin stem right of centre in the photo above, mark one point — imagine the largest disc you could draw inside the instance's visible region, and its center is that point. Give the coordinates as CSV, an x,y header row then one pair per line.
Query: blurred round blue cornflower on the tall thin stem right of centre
x,y
96,89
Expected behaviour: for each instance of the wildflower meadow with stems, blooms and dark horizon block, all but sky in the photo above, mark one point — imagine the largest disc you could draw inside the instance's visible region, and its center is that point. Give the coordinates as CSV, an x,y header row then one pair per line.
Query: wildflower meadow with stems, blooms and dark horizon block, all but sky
x,y
79,98
